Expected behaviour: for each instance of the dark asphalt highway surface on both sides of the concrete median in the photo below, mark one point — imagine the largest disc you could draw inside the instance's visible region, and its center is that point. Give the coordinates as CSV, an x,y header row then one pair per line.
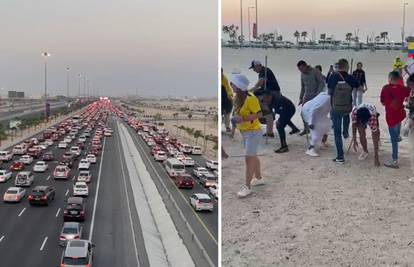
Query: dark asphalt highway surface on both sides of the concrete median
x,y
29,234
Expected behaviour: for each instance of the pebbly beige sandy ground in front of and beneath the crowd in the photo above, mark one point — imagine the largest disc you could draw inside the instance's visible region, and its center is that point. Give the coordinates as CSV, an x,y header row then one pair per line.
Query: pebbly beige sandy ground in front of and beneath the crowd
x,y
312,212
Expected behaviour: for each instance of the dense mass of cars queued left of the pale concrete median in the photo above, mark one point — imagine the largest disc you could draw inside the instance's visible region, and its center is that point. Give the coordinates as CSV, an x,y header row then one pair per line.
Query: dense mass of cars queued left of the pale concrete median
x,y
67,154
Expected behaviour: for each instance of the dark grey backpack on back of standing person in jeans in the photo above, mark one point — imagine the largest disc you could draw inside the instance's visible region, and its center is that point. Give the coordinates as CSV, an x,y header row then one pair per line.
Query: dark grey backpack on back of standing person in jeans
x,y
342,97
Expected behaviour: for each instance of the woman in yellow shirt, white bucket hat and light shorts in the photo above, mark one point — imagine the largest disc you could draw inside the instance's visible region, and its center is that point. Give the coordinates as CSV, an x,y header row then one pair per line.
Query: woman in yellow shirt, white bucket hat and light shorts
x,y
247,113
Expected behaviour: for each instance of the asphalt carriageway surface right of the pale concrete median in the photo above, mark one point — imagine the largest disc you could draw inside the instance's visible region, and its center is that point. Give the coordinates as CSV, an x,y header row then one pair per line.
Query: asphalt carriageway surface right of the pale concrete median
x,y
204,224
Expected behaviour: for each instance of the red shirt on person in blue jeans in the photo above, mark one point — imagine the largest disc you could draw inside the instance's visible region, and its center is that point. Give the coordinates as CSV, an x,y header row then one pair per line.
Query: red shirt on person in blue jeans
x,y
392,97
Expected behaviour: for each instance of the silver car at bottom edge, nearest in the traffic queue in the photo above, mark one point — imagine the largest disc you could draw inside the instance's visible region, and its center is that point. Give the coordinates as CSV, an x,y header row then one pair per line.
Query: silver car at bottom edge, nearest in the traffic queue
x,y
77,252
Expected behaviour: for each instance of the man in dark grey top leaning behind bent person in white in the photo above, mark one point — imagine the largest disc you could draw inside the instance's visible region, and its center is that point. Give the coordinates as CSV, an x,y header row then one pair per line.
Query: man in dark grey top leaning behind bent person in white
x,y
312,83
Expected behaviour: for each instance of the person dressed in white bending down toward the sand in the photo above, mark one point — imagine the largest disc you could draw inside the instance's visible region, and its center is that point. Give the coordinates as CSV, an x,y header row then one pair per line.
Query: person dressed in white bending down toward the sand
x,y
315,113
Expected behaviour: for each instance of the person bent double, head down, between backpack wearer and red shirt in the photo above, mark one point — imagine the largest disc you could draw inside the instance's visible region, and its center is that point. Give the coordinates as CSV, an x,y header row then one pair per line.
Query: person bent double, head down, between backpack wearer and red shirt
x,y
362,116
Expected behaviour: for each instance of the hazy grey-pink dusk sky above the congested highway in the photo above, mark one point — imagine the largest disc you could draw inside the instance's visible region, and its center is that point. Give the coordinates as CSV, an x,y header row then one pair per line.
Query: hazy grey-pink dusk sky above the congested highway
x,y
156,47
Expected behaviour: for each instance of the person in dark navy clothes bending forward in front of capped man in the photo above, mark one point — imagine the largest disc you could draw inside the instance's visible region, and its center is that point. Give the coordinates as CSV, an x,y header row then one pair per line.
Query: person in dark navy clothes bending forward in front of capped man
x,y
286,109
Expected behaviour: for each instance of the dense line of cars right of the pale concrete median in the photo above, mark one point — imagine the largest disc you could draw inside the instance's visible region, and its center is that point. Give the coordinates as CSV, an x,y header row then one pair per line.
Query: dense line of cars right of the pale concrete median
x,y
181,161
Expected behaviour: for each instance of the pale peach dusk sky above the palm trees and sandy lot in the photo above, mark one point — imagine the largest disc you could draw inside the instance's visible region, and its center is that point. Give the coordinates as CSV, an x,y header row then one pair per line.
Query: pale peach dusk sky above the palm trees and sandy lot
x,y
324,16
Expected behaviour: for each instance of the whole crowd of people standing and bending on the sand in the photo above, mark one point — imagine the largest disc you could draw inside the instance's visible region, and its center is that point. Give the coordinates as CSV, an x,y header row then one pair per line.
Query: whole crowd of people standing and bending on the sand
x,y
331,101
